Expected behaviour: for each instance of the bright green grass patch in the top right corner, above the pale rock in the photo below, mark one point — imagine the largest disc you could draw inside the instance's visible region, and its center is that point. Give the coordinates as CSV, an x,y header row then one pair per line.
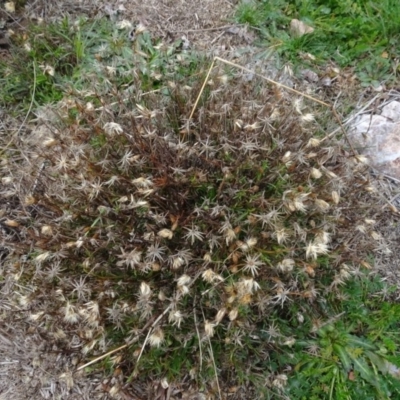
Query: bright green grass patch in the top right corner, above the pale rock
x,y
355,33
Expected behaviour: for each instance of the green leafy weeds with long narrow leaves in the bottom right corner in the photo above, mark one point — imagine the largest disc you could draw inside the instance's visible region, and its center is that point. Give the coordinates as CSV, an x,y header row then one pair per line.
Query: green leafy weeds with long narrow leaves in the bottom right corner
x,y
347,355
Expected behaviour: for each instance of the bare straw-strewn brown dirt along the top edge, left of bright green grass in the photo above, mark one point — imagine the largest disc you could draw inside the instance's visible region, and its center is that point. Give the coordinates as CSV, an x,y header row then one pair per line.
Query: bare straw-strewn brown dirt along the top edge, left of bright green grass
x,y
204,24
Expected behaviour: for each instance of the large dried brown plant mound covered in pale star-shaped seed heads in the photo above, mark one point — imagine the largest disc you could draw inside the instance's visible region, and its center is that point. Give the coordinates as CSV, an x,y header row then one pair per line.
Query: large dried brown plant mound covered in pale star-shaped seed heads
x,y
156,235
